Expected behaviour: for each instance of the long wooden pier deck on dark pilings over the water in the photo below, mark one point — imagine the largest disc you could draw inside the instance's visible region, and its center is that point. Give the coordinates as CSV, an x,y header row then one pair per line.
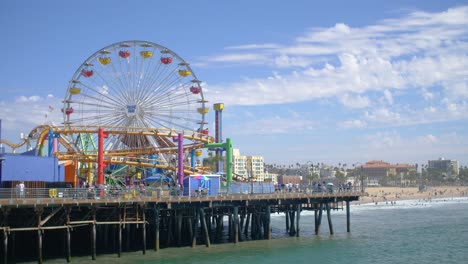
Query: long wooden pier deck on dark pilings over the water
x,y
44,228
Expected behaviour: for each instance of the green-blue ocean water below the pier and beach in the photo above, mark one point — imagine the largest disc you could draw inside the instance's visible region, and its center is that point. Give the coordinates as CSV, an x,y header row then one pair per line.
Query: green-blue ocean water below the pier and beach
x,y
410,232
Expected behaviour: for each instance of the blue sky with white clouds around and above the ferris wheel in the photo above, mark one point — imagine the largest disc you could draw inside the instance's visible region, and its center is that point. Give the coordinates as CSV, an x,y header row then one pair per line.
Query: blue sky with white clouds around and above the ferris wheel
x,y
320,81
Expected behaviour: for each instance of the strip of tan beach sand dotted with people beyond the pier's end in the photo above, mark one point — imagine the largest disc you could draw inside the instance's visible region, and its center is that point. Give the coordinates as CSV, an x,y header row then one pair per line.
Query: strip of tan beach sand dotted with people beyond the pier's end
x,y
392,194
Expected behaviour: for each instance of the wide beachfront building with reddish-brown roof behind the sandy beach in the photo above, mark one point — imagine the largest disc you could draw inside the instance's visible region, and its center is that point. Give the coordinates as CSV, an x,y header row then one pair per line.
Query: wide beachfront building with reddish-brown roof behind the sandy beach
x,y
378,171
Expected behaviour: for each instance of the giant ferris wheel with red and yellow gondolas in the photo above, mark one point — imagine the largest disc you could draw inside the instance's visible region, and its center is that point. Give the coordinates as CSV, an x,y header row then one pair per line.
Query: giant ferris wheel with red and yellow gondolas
x,y
135,84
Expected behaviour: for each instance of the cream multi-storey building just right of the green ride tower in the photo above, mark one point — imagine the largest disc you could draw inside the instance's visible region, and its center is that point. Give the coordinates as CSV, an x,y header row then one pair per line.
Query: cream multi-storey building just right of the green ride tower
x,y
248,167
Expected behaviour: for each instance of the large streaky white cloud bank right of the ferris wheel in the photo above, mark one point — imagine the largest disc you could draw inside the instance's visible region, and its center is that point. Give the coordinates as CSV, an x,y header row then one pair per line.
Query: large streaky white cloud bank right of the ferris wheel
x,y
417,51
